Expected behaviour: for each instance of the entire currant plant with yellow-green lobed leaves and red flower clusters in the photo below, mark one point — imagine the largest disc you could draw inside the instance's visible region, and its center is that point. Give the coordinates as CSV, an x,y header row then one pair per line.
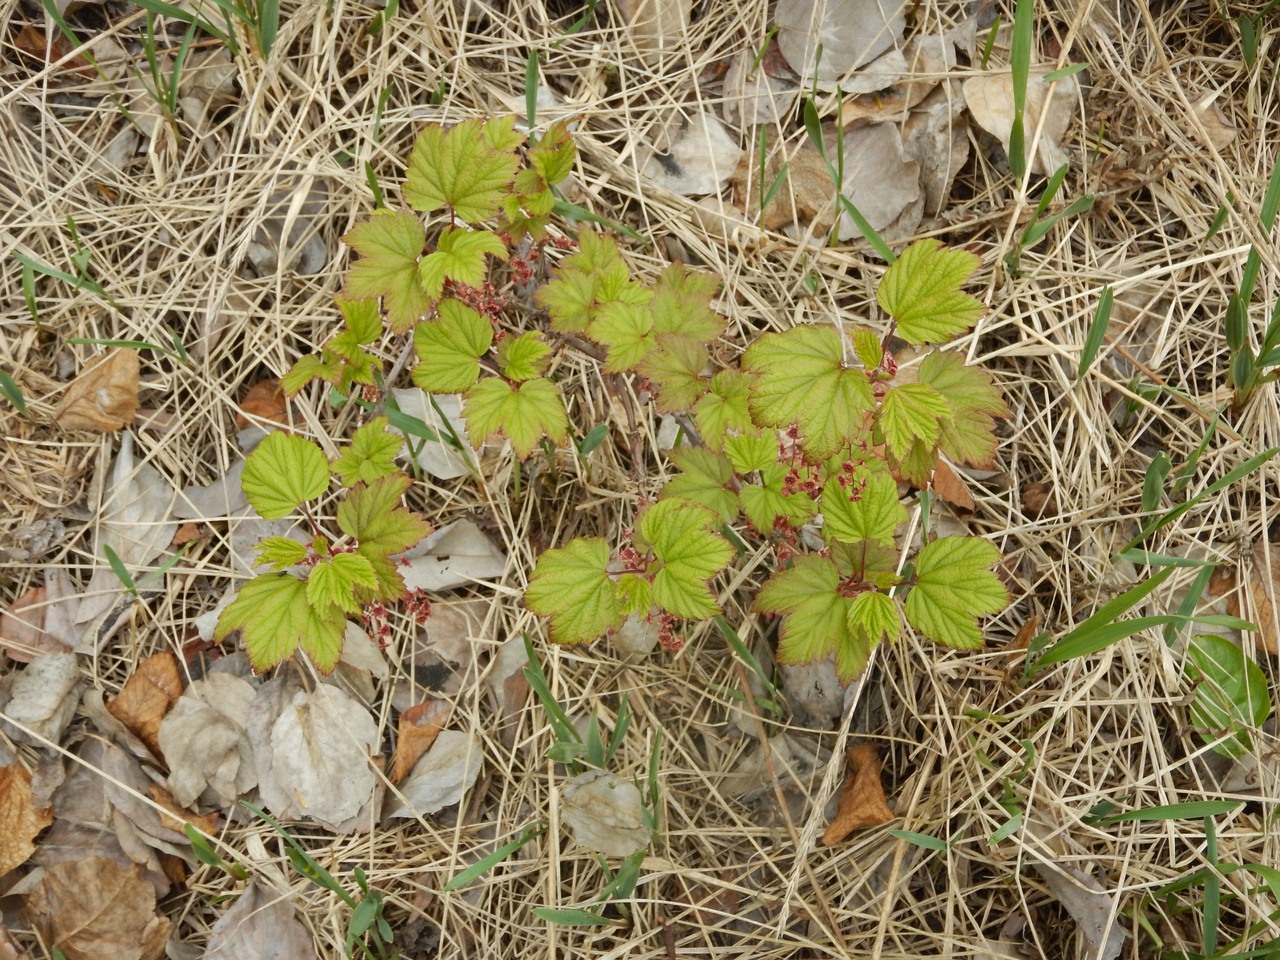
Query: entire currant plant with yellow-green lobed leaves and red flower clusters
x,y
815,427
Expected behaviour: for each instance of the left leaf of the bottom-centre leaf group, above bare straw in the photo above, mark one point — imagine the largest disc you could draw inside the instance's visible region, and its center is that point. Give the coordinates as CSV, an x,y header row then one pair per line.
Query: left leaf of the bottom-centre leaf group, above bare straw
x,y
572,586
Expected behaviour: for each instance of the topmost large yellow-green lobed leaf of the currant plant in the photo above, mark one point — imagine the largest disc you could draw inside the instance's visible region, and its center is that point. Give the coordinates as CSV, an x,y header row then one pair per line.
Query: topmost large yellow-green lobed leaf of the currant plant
x,y
468,168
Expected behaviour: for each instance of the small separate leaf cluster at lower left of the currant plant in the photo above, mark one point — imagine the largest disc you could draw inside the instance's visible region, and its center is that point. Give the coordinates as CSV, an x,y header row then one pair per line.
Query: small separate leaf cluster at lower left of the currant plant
x,y
316,588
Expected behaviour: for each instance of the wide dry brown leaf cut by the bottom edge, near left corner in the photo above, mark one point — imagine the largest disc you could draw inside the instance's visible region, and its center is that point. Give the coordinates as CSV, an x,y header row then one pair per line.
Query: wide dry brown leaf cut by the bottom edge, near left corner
x,y
93,909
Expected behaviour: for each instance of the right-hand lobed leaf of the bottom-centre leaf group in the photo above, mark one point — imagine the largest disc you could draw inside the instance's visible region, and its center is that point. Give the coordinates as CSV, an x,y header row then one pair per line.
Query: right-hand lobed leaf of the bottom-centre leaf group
x,y
680,536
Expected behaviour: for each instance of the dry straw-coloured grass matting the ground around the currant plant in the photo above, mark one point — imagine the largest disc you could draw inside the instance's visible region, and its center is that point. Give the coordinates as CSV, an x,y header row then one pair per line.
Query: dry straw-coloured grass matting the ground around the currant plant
x,y
182,221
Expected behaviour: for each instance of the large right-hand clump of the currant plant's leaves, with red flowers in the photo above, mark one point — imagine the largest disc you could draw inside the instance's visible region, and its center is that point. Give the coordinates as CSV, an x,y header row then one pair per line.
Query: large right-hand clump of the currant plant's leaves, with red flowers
x,y
793,436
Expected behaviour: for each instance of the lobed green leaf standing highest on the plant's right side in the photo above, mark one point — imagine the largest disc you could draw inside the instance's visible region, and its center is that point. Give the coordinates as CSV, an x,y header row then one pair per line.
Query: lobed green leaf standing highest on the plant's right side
x,y
922,292
